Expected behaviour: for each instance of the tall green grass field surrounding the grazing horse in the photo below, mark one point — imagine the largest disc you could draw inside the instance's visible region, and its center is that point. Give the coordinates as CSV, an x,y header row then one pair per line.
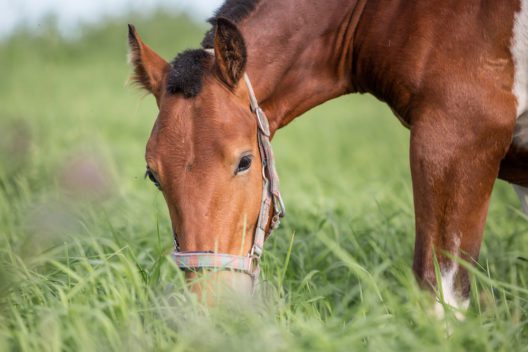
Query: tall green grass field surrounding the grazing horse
x,y
84,239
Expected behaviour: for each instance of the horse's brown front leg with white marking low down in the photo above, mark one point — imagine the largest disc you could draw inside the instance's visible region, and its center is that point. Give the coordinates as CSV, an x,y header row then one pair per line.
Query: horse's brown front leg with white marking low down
x,y
455,158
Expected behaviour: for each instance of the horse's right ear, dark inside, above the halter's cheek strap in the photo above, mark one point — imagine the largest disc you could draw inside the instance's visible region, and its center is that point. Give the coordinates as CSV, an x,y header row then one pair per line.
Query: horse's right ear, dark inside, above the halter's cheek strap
x,y
230,52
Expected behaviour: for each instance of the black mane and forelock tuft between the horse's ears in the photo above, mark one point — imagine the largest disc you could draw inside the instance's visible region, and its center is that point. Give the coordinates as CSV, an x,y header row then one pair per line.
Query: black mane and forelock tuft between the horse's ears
x,y
188,68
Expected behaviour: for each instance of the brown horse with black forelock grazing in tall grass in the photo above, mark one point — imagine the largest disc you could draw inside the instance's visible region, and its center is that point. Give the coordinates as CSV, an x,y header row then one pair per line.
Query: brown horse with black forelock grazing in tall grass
x,y
454,72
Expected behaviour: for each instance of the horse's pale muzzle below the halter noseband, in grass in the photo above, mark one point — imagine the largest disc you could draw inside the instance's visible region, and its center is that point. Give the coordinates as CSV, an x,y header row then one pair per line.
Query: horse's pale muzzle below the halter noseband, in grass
x,y
217,287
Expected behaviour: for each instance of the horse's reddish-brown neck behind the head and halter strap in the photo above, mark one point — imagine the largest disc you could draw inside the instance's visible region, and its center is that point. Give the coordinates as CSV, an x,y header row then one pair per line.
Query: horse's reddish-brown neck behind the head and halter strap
x,y
299,54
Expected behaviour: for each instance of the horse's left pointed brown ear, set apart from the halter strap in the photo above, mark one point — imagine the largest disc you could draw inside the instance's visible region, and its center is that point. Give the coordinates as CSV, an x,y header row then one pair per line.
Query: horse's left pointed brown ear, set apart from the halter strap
x,y
149,67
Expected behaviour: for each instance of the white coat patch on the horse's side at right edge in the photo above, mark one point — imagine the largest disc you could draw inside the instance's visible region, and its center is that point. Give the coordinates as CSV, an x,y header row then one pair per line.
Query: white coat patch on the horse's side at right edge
x,y
519,51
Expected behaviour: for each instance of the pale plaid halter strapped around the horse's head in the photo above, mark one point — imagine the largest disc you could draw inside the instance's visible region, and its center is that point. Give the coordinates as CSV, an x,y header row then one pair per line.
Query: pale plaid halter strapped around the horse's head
x,y
271,197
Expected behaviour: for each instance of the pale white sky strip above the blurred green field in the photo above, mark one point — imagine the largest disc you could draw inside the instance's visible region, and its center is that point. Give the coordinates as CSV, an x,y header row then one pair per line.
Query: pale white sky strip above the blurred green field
x,y
70,13
